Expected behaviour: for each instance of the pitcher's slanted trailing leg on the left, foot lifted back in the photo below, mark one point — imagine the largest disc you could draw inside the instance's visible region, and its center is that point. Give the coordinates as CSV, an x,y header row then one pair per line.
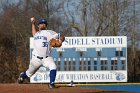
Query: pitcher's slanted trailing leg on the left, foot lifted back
x,y
33,67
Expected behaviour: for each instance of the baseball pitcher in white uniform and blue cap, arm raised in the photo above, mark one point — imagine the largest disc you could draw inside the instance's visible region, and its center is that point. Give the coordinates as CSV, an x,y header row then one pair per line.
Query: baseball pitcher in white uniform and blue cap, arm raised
x,y
44,41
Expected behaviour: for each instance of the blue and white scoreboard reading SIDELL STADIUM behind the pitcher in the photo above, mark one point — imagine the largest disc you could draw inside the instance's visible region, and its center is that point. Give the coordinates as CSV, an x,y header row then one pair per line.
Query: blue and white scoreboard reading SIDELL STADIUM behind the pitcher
x,y
87,59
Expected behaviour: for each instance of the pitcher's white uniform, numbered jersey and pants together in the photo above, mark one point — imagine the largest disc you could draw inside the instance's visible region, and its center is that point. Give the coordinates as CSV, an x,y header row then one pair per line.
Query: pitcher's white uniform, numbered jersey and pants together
x,y
41,51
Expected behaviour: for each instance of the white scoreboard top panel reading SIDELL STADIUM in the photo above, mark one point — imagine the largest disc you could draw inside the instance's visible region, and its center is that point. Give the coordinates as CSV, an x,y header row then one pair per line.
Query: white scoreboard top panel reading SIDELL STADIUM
x,y
92,42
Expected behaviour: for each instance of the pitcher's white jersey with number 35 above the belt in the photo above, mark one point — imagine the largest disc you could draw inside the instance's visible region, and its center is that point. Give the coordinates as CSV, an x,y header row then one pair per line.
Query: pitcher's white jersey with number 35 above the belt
x,y
41,42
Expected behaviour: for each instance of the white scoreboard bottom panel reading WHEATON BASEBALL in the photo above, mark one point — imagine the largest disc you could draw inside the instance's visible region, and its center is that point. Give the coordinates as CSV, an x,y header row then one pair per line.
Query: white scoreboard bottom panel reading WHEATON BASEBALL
x,y
81,76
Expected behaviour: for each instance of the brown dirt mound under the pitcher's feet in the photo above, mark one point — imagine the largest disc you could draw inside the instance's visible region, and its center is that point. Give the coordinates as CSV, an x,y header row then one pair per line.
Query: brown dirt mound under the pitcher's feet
x,y
43,88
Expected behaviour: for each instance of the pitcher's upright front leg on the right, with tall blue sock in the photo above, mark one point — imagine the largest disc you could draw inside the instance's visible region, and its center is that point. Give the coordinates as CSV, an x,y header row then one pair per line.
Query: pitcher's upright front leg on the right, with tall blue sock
x,y
49,62
